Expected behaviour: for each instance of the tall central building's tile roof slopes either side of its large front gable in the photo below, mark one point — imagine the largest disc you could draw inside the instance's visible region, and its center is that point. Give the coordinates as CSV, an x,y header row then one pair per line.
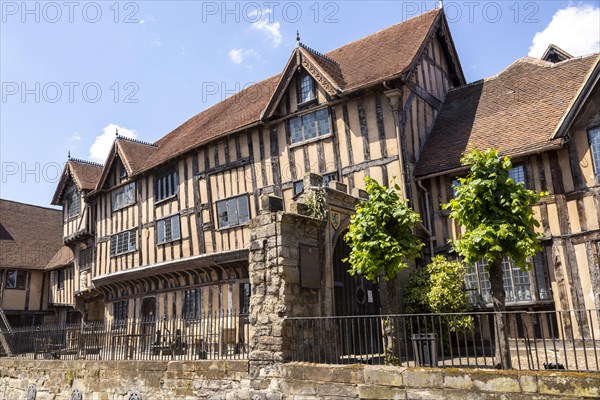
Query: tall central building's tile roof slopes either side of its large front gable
x,y
377,57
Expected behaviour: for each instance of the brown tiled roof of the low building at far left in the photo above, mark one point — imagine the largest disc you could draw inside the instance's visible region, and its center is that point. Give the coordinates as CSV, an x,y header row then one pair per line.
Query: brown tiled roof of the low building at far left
x,y
36,235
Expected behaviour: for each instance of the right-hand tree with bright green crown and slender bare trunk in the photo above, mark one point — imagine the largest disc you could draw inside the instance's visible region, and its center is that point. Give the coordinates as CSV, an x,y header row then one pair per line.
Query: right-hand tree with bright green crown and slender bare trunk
x,y
497,216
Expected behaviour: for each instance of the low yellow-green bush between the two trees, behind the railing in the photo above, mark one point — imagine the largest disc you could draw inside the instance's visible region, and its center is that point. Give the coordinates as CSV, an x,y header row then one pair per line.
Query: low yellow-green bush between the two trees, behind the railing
x,y
438,288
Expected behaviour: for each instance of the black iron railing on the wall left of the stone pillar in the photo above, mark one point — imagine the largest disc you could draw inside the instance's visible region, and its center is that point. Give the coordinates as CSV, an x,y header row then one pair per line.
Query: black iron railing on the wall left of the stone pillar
x,y
211,336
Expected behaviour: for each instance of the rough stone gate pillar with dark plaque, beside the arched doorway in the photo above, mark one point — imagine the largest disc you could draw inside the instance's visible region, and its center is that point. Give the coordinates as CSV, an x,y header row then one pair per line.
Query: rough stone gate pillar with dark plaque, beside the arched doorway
x,y
275,270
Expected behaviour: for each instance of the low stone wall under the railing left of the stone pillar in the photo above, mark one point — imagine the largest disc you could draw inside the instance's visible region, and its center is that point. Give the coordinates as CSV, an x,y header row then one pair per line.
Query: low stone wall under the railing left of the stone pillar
x,y
118,380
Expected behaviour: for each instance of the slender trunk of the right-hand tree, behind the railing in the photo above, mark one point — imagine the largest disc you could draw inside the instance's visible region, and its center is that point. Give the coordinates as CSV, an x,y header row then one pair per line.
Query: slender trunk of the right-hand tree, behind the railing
x,y
502,349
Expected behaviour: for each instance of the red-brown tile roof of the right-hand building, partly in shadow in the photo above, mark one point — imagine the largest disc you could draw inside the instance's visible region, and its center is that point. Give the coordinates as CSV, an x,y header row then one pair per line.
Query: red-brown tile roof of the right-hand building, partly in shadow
x,y
515,112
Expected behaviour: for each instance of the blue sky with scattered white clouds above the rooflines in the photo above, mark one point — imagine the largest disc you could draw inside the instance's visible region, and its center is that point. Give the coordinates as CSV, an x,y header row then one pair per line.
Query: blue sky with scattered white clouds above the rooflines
x,y
71,72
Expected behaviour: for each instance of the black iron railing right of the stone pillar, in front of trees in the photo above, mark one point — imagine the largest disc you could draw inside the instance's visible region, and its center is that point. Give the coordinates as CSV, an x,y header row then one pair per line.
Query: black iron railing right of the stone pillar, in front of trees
x,y
538,340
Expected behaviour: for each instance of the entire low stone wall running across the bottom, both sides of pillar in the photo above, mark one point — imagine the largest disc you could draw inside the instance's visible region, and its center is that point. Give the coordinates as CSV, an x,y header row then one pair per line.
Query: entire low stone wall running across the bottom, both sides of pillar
x,y
228,380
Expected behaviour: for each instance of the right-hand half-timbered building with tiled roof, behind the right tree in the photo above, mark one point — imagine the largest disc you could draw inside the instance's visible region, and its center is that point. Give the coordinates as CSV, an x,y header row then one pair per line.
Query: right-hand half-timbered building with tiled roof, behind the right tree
x,y
545,115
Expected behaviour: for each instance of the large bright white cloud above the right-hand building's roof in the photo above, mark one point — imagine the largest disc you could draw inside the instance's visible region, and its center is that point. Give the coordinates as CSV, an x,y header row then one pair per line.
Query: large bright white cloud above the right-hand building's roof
x,y
575,29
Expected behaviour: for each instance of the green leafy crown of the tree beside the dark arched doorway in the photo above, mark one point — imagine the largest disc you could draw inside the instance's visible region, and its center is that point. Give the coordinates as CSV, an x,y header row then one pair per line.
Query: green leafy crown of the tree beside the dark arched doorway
x,y
381,233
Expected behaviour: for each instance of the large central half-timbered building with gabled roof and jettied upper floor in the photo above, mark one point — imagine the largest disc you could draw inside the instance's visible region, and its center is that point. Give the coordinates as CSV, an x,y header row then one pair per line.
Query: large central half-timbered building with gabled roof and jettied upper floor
x,y
168,221
